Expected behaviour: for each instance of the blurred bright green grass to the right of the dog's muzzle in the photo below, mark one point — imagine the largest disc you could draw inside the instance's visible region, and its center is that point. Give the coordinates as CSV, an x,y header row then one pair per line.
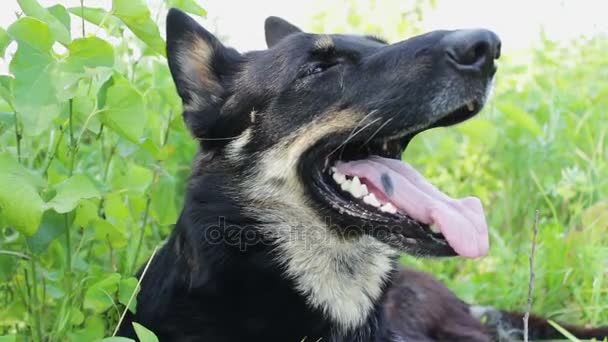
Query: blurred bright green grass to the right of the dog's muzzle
x,y
541,143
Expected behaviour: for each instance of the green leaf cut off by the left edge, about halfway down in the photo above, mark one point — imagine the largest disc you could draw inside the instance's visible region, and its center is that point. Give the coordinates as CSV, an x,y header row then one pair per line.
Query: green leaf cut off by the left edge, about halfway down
x,y
20,205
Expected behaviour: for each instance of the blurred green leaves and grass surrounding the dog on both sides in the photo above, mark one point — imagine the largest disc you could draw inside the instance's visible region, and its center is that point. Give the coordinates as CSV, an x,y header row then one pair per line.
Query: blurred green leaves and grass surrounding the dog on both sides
x,y
94,156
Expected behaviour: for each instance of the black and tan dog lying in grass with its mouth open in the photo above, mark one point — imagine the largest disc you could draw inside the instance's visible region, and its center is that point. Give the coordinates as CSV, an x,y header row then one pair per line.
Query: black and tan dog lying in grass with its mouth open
x,y
298,205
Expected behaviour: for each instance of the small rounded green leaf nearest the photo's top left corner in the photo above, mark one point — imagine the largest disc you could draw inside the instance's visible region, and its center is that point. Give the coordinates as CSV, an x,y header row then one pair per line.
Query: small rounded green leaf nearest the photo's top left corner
x,y
32,32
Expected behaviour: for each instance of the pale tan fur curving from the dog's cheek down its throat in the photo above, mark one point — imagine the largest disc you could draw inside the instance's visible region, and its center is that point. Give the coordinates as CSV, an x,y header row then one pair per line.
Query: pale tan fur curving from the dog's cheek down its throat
x,y
314,255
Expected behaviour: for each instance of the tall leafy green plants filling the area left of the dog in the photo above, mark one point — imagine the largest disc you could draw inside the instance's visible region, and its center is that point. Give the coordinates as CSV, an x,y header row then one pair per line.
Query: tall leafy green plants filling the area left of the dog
x,y
92,153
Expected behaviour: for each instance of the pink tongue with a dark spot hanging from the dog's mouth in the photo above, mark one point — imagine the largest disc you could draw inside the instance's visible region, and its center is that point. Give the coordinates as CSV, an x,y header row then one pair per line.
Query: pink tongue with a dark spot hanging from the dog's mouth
x,y
461,221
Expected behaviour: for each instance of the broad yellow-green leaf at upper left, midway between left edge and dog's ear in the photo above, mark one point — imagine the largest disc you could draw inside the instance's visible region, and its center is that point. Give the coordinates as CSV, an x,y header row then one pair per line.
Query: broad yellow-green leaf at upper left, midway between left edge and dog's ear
x,y
89,52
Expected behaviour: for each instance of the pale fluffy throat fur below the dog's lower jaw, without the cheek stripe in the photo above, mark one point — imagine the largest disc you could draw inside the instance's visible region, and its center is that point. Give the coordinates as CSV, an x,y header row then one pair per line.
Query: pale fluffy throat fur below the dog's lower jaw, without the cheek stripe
x,y
344,278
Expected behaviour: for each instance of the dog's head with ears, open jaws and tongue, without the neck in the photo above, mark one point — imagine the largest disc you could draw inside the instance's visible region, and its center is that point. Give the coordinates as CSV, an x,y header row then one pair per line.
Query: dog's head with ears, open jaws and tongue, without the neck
x,y
315,125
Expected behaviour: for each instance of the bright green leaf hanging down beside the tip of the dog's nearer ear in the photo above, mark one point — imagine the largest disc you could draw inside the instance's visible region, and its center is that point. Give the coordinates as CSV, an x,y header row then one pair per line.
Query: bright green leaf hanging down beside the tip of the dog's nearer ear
x,y
135,14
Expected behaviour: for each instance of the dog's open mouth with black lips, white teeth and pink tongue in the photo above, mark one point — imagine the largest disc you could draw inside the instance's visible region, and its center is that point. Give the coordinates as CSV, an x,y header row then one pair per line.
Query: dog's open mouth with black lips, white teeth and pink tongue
x,y
369,189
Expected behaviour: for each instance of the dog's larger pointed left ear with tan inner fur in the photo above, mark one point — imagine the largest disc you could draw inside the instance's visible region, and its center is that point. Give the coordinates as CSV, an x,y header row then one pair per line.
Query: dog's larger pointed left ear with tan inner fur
x,y
200,66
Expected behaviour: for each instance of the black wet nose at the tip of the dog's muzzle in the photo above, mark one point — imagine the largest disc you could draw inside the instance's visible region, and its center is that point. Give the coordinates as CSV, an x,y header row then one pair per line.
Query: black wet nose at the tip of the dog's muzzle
x,y
473,50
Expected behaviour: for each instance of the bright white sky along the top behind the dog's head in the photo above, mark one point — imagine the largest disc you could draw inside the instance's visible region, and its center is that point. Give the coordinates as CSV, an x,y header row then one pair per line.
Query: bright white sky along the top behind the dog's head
x,y
518,22
